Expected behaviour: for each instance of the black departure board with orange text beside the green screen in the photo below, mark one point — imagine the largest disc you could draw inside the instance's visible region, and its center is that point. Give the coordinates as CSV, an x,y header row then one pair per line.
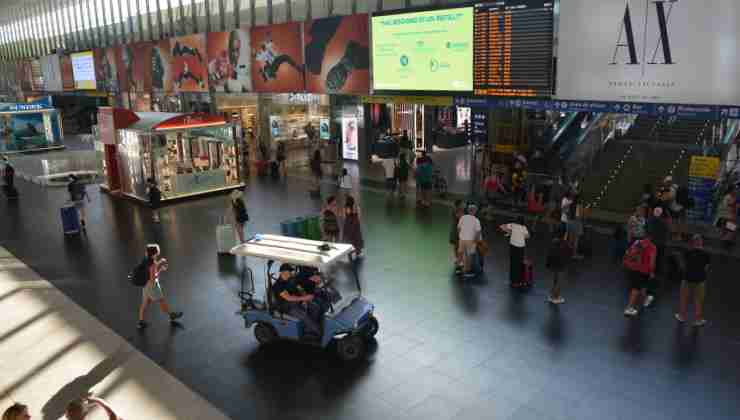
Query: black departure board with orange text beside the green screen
x,y
513,43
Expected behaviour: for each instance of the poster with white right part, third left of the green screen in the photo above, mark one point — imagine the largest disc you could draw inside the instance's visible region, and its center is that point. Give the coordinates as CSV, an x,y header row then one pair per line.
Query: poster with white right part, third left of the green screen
x,y
229,68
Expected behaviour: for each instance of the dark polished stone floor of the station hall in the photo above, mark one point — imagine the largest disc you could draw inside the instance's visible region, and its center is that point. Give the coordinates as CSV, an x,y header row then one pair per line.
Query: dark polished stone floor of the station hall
x,y
446,349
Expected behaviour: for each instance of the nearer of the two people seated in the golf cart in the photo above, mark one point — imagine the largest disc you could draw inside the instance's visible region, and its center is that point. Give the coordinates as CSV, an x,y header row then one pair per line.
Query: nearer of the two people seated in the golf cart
x,y
291,301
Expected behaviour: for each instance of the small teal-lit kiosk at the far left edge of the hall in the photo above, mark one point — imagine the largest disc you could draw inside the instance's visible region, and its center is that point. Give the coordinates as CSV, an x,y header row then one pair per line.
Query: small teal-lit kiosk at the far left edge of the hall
x,y
28,127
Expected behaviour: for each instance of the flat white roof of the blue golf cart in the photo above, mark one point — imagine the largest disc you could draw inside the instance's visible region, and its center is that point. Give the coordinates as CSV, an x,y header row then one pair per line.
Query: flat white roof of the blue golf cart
x,y
296,251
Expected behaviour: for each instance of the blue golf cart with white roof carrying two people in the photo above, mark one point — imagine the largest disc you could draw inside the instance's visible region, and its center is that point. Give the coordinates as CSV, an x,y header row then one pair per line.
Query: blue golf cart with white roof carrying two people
x,y
348,322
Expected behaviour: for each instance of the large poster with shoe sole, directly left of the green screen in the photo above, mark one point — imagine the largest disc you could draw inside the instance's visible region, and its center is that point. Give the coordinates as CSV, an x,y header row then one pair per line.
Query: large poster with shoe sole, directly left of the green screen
x,y
337,55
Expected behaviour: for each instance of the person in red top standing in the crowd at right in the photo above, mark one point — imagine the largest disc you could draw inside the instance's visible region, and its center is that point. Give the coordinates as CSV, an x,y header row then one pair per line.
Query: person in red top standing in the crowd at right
x,y
641,272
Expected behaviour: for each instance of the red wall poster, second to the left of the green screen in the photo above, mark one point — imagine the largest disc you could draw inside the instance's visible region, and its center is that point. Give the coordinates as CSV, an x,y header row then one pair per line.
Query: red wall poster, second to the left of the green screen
x,y
277,65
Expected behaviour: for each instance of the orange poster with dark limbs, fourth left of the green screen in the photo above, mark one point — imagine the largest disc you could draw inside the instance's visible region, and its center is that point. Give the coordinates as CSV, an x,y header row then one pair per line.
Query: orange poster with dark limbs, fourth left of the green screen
x,y
189,67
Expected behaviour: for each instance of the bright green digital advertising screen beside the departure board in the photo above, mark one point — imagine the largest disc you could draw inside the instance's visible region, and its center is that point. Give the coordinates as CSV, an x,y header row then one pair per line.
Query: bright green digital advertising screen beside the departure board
x,y
423,51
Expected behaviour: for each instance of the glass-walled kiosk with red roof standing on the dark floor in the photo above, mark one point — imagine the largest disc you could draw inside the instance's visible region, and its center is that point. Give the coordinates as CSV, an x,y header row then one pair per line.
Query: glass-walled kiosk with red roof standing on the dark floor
x,y
187,154
